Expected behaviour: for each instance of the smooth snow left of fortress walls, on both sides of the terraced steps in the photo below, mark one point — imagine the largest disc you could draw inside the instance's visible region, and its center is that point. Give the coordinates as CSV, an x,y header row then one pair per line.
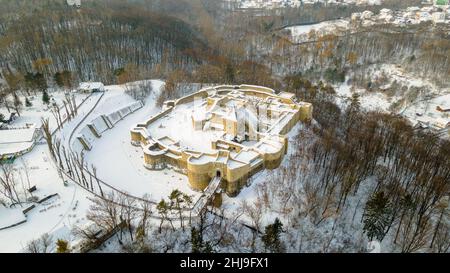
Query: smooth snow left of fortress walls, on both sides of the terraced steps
x,y
119,163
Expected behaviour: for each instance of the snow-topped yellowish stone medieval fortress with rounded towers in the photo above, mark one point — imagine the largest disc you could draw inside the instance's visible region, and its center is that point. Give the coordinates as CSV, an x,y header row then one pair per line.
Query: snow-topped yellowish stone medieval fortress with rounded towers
x,y
220,136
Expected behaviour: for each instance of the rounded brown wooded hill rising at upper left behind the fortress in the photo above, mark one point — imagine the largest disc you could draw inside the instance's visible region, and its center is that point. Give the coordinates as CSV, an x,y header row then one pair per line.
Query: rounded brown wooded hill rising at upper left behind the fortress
x,y
94,42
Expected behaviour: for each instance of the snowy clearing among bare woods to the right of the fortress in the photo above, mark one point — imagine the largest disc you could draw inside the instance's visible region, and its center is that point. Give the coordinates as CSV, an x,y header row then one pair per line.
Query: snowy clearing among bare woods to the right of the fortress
x,y
417,102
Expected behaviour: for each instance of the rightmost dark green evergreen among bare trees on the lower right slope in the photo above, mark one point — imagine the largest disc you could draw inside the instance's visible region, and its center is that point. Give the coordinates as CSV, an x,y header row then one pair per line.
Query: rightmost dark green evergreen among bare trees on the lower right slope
x,y
376,217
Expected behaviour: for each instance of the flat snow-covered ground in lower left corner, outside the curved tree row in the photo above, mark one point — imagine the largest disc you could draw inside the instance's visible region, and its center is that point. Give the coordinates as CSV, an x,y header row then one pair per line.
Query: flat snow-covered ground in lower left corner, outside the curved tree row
x,y
66,209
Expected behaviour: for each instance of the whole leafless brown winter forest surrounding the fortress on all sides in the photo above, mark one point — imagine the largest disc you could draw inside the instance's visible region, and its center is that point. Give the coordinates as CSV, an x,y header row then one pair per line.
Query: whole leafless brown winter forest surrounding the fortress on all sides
x,y
353,176
